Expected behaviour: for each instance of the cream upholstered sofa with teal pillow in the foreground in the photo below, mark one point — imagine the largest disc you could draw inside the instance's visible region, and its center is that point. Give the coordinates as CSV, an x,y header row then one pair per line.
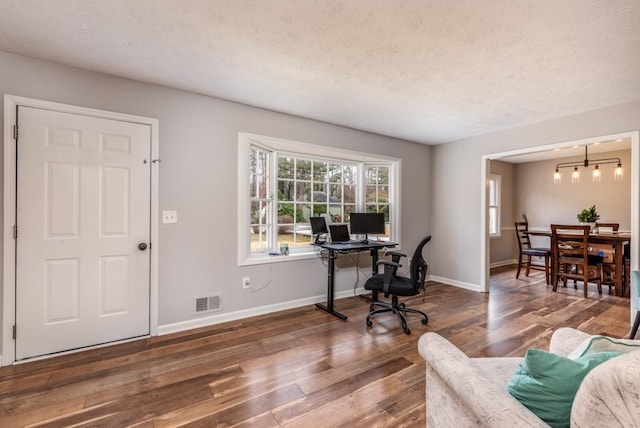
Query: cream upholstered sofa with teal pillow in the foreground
x,y
471,392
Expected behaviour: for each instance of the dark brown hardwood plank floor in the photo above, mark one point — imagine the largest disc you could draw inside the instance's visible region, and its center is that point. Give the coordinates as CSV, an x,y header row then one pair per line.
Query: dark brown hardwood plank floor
x,y
298,368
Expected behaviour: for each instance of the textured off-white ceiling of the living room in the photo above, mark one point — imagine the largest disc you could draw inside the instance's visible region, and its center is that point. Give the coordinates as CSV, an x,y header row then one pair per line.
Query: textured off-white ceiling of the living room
x,y
431,71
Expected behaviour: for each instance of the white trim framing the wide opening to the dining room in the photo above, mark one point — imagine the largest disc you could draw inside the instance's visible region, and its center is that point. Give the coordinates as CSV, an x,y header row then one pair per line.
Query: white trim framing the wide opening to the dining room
x,y
634,136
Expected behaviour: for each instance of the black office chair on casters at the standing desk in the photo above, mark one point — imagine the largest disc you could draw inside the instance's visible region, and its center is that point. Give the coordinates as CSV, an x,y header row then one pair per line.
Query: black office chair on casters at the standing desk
x,y
389,283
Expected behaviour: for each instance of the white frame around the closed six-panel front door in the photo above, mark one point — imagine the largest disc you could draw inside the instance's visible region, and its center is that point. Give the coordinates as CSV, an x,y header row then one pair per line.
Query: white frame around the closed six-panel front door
x,y
11,102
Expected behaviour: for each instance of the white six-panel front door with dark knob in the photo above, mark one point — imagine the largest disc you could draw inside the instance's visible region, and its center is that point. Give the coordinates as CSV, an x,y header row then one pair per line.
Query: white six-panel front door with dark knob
x,y
83,231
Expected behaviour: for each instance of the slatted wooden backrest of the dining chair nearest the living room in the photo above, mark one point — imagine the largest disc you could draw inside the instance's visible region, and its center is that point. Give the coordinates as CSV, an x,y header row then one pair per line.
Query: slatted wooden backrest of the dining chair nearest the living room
x,y
570,243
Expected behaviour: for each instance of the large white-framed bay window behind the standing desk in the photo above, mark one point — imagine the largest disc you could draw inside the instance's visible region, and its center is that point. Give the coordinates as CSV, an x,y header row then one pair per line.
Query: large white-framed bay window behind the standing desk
x,y
283,183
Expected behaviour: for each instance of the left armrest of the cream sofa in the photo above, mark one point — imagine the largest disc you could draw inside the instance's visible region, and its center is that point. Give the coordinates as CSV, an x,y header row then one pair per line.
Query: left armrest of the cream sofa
x,y
484,402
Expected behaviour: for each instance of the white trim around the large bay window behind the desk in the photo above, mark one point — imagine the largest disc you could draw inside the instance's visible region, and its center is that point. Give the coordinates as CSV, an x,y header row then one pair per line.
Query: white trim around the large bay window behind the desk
x,y
277,145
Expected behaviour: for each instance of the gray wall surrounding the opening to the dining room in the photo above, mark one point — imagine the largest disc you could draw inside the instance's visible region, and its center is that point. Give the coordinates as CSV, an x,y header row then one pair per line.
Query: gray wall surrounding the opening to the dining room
x,y
456,206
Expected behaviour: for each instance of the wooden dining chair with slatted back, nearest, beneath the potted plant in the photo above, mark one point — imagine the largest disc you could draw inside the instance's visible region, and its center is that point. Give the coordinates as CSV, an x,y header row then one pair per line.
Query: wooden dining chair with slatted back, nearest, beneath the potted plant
x,y
571,258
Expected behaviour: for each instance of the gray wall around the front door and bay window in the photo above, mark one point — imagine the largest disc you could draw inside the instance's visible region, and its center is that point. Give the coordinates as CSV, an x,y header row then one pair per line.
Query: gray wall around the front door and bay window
x,y
198,178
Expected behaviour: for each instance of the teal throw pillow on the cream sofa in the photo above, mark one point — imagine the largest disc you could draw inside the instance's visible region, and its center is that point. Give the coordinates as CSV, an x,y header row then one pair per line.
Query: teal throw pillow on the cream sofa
x,y
546,383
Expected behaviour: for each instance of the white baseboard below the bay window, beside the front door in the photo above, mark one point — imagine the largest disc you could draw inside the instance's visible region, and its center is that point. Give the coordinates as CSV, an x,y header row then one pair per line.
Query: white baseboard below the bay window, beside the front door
x,y
246,313
